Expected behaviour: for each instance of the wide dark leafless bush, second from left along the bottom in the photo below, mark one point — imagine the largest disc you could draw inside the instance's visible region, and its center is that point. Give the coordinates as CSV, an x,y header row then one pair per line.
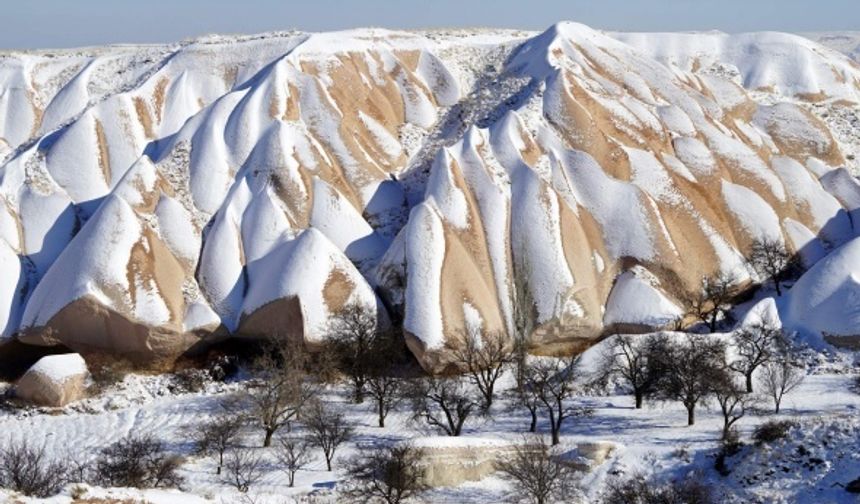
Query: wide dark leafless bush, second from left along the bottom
x,y
139,462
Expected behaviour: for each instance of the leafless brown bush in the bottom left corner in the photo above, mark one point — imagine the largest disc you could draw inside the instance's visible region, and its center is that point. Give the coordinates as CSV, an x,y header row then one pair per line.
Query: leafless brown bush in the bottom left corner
x,y
28,470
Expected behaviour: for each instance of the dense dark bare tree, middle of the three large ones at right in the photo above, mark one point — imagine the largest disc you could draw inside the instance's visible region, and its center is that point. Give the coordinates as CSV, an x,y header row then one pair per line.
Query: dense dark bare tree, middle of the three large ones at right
x,y
692,368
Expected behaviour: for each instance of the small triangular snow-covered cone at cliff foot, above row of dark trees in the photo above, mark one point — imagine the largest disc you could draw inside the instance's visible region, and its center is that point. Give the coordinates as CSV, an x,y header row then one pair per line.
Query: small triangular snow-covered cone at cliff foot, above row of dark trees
x,y
635,300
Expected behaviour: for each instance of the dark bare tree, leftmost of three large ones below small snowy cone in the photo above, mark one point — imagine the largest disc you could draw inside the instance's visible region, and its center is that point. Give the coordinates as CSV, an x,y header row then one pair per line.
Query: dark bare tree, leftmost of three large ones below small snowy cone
x,y
636,360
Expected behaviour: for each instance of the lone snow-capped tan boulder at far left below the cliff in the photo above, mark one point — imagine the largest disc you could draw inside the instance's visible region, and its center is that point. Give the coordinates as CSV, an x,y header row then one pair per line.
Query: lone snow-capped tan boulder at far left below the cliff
x,y
55,380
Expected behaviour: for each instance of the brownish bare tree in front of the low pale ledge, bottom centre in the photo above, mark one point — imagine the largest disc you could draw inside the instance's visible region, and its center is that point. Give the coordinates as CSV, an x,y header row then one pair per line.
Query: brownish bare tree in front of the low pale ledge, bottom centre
x,y
536,473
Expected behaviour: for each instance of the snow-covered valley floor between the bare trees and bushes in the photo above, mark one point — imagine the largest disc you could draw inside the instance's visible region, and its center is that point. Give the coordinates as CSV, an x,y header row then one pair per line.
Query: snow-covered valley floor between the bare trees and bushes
x,y
653,441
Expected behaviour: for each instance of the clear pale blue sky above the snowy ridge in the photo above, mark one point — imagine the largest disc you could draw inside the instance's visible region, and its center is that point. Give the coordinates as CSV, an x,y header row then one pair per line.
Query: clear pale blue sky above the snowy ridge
x,y
27,24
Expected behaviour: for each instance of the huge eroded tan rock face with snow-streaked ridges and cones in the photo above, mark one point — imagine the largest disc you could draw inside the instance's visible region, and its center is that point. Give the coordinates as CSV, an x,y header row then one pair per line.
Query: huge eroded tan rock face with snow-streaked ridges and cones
x,y
255,185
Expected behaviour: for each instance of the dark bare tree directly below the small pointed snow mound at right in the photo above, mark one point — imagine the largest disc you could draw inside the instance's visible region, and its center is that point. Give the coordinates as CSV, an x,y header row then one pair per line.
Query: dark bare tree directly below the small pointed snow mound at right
x,y
756,344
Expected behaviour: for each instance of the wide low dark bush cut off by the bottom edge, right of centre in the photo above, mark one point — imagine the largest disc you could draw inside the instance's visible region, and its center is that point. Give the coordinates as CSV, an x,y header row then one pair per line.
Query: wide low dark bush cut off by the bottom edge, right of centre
x,y
638,490
